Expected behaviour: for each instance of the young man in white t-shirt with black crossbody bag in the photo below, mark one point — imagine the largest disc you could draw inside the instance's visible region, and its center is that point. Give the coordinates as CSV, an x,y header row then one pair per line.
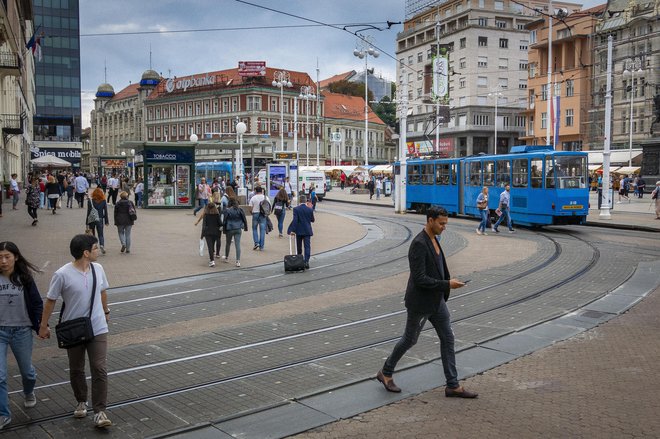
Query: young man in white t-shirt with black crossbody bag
x,y
73,283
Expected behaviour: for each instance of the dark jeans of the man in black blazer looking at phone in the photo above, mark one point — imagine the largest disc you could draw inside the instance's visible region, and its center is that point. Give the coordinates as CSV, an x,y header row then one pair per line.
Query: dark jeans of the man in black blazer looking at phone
x,y
414,324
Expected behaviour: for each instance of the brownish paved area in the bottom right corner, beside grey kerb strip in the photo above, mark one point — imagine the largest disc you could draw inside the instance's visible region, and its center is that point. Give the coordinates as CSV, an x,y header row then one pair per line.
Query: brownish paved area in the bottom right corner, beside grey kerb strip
x,y
602,383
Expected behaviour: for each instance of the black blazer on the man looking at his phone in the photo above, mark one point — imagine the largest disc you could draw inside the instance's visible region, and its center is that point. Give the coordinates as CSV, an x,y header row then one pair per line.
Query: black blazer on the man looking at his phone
x,y
427,284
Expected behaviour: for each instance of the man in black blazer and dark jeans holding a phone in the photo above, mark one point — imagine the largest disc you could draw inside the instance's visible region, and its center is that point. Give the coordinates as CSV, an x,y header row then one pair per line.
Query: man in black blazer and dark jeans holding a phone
x,y
426,298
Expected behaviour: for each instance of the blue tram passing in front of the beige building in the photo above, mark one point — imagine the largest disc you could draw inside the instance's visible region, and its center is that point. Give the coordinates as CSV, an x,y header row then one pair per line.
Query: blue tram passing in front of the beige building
x,y
547,186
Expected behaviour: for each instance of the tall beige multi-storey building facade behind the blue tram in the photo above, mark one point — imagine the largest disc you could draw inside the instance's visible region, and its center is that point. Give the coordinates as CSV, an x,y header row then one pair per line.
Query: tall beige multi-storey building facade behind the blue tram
x,y
487,44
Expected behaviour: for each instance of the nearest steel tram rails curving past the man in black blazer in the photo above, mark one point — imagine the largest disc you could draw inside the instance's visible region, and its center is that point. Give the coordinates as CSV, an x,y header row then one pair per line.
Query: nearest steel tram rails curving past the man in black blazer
x,y
253,373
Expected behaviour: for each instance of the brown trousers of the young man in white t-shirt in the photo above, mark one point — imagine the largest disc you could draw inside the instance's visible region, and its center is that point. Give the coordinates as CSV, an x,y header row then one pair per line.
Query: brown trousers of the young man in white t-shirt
x,y
96,351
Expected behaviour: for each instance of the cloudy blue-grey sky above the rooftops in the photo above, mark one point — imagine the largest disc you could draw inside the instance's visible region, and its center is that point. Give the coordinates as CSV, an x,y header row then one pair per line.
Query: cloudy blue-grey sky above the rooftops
x,y
229,31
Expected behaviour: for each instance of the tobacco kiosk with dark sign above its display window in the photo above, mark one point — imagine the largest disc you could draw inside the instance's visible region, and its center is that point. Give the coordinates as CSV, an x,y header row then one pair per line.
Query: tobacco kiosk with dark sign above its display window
x,y
167,170
